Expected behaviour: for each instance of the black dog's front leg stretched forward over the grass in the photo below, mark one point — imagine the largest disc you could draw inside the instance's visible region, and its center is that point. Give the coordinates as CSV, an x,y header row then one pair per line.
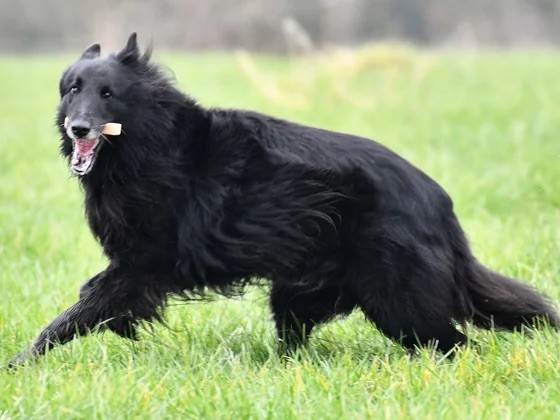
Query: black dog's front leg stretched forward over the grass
x,y
112,300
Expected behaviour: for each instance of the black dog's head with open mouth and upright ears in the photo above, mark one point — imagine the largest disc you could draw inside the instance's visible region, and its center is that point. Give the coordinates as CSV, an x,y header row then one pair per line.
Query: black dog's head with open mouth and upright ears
x,y
95,91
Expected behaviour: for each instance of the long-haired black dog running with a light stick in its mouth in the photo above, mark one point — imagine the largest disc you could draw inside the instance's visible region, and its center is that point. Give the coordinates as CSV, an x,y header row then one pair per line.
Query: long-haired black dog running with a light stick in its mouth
x,y
188,200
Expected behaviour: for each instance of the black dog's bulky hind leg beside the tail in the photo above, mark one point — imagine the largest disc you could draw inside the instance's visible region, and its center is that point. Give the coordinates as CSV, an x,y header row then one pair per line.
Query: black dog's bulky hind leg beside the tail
x,y
409,295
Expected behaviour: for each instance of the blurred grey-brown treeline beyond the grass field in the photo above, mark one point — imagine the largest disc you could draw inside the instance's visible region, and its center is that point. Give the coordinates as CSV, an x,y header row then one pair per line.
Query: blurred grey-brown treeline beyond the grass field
x,y
278,26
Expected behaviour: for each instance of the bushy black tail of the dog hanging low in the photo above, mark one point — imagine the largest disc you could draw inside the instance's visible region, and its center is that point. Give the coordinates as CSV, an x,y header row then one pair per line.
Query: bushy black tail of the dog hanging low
x,y
504,303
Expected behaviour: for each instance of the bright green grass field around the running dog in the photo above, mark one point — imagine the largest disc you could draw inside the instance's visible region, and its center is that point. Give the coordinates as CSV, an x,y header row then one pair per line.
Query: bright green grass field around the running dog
x,y
486,126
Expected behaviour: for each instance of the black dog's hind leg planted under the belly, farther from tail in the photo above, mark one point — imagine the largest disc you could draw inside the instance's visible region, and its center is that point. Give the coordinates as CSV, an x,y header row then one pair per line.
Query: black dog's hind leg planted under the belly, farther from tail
x,y
298,309
